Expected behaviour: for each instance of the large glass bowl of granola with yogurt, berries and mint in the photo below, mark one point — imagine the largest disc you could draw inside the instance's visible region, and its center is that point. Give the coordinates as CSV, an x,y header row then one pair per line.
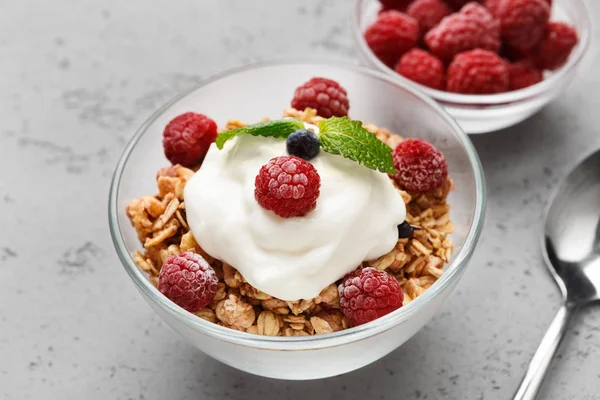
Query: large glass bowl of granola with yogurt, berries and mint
x,y
296,270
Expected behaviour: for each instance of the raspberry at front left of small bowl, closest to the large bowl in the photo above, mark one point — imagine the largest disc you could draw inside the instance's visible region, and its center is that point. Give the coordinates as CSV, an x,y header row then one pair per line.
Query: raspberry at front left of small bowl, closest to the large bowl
x,y
422,67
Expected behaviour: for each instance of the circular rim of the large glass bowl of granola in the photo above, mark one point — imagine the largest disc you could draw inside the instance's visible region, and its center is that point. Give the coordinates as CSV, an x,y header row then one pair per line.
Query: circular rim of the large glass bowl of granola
x,y
452,273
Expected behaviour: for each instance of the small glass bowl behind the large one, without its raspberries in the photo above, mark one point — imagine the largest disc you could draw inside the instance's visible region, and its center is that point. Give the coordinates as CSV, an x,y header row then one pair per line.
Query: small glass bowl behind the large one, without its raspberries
x,y
487,113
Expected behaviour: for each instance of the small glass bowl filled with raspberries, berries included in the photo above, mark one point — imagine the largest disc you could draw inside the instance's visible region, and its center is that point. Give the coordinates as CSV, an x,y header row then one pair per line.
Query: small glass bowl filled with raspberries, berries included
x,y
490,63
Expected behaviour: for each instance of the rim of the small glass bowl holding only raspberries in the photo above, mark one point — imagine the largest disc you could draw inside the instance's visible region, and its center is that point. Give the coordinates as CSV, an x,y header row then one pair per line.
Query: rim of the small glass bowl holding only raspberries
x,y
499,99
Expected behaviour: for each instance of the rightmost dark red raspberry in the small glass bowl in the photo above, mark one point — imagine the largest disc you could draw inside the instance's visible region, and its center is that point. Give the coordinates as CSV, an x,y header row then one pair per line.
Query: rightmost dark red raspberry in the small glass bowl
x,y
556,46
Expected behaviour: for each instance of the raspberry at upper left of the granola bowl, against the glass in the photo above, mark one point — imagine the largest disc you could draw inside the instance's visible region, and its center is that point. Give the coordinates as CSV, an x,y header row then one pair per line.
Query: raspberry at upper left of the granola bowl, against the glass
x,y
187,138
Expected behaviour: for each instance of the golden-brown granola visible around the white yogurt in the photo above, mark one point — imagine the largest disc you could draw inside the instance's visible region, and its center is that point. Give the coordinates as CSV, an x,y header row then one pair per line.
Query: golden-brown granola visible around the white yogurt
x,y
417,262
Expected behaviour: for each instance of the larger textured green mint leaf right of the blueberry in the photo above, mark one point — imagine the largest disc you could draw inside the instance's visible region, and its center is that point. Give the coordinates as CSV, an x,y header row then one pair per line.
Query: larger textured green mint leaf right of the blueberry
x,y
349,139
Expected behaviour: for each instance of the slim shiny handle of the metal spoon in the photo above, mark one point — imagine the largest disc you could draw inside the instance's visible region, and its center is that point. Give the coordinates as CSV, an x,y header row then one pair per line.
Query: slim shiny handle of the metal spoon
x,y
532,381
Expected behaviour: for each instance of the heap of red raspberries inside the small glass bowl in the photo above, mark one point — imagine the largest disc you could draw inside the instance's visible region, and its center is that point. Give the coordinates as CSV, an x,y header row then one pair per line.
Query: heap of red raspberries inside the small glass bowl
x,y
476,47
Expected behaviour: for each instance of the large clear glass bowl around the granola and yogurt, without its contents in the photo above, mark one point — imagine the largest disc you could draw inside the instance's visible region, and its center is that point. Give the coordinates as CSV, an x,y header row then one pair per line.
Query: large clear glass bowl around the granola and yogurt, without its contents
x,y
249,94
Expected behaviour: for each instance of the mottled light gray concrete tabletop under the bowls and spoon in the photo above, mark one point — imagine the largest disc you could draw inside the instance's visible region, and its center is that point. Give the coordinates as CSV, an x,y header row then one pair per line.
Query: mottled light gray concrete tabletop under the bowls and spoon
x,y
78,77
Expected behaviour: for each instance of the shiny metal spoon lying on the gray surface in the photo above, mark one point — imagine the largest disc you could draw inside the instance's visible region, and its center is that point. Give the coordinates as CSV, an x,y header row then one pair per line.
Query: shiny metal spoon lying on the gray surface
x,y
571,248
